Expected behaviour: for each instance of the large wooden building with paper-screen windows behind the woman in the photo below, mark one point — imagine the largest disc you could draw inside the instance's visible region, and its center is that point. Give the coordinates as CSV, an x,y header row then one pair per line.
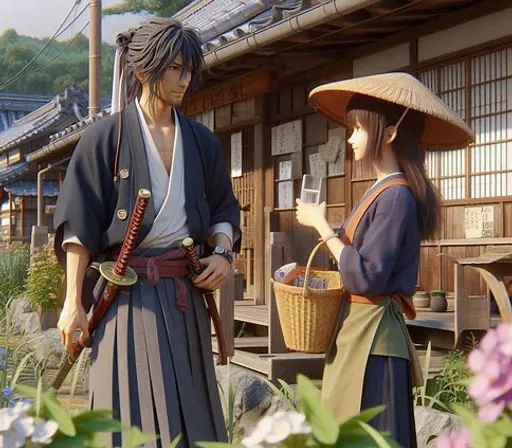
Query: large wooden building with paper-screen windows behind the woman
x,y
255,100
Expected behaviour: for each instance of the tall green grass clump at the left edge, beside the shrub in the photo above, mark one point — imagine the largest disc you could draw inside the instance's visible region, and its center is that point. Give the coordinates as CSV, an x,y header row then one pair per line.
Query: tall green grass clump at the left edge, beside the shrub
x,y
14,266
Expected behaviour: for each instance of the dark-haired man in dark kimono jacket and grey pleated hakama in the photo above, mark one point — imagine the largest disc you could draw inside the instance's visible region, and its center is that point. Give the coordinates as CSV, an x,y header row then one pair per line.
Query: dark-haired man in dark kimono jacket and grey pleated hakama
x,y
151,357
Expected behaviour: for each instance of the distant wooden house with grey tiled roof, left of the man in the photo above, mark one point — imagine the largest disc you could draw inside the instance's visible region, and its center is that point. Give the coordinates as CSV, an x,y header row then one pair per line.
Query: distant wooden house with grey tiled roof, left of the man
x,y
18,177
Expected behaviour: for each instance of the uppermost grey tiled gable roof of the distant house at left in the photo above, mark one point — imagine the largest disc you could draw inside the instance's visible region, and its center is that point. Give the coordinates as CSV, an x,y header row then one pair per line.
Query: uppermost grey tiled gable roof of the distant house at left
x,y
63,110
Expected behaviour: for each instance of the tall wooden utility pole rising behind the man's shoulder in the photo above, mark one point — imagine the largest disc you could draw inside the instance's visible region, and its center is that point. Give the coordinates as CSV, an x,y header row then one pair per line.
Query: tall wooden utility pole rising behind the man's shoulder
x,y
94,57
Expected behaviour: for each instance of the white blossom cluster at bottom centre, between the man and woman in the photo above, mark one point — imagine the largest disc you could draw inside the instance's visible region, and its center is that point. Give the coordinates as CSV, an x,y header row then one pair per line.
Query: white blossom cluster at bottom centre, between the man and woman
x,y
272,430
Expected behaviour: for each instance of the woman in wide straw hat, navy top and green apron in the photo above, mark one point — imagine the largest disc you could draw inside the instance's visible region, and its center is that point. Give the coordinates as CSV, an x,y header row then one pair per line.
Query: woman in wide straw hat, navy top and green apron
x,y
371,361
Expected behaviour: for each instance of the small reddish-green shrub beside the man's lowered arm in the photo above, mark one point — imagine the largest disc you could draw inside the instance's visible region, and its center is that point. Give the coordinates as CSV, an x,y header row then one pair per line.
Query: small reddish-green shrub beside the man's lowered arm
x,y
44,280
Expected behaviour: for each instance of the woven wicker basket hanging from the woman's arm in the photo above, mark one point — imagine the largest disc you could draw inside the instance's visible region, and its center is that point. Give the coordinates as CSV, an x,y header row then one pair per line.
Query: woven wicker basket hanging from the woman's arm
x,y
308,316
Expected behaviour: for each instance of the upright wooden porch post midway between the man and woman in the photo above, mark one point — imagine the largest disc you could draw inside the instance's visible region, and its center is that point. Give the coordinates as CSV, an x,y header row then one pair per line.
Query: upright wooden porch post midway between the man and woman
x,y
259,215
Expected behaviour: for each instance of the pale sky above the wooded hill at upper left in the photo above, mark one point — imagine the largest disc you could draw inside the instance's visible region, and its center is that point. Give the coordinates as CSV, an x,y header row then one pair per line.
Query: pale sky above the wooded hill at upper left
x,y
41,18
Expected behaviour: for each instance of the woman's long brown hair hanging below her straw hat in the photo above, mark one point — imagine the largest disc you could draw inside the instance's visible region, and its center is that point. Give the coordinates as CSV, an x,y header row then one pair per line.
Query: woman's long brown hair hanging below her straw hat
x,y
375,116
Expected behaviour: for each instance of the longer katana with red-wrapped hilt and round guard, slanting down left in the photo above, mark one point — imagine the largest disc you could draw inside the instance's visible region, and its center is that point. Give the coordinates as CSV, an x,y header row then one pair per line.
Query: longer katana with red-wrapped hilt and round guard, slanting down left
x,y
118,274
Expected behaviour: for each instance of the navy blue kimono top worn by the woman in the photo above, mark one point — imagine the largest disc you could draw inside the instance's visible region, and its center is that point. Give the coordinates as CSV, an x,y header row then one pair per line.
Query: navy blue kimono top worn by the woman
x,y
384,257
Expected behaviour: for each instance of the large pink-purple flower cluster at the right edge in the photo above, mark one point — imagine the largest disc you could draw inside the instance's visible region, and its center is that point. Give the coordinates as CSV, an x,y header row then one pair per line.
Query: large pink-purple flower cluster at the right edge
x,y
491,363
